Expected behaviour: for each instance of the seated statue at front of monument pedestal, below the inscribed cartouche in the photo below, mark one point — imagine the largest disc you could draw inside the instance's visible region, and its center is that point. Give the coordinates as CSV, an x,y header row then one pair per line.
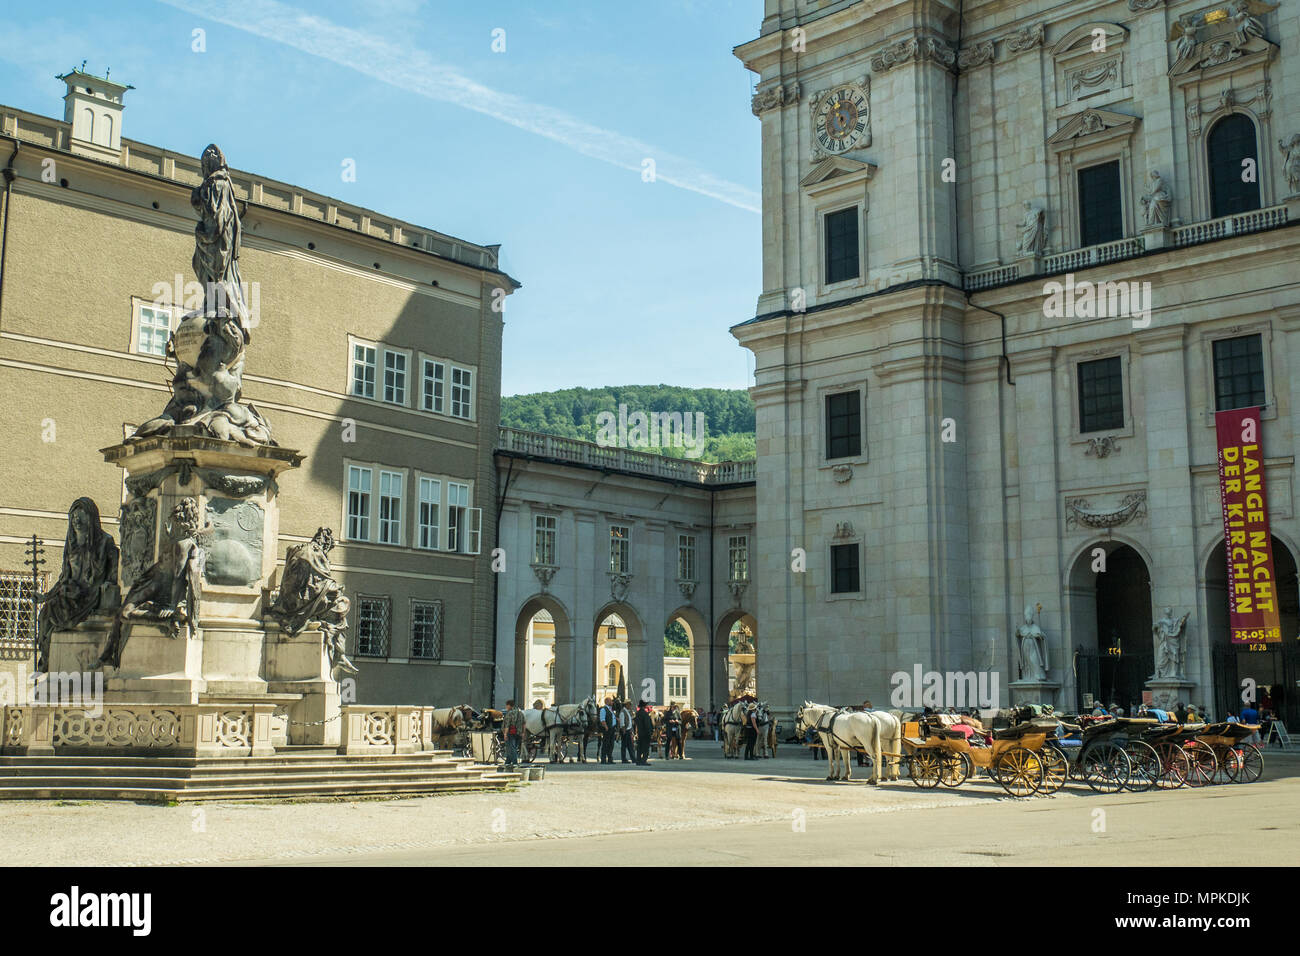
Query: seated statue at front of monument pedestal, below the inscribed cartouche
x,y
171,590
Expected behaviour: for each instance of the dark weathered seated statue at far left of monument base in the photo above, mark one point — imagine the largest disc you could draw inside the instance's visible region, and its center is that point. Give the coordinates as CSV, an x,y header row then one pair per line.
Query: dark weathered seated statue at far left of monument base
x,y
88,582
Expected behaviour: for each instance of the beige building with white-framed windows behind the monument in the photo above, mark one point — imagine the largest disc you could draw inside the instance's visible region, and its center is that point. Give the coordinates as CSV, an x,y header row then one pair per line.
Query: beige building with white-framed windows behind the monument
x,y
378,354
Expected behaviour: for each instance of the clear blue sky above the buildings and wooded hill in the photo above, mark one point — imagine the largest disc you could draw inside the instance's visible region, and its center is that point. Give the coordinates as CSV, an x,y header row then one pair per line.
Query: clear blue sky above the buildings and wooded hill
x,y
539,148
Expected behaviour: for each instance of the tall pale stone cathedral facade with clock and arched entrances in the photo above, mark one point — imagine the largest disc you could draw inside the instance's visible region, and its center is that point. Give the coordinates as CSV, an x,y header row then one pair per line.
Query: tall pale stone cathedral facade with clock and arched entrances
x,y
950,436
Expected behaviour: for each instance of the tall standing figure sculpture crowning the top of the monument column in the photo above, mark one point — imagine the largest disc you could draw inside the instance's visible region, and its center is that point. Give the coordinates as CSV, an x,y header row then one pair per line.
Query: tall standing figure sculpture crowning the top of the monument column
x,y
209,345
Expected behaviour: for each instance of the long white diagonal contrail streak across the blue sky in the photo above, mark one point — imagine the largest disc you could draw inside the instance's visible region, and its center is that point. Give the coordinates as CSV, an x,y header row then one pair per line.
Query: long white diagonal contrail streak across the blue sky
x,y
417,72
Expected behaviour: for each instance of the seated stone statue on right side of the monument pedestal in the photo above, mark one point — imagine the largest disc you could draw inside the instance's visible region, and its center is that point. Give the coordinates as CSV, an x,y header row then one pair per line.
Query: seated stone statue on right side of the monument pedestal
x,y
309,595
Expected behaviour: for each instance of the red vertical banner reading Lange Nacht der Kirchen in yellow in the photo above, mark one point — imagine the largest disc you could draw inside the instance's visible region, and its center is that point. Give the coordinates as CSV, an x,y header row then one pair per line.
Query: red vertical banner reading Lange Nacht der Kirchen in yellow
x,y
1253,586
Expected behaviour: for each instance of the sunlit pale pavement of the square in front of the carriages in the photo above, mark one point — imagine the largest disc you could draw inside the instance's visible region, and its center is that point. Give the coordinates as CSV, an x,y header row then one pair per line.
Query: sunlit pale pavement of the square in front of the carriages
x,y
704,810
